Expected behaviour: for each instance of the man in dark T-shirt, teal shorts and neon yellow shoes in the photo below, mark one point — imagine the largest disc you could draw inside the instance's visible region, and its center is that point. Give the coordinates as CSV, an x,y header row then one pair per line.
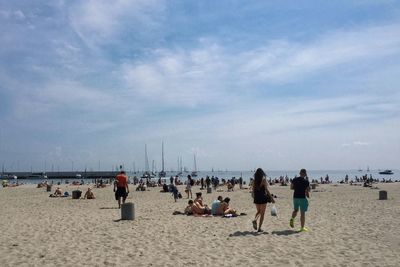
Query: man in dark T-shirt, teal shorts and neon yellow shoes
x,y
301,188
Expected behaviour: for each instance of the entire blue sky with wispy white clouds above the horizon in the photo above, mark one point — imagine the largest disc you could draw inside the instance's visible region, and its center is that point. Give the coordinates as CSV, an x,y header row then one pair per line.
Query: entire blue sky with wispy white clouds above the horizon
x,y
276,84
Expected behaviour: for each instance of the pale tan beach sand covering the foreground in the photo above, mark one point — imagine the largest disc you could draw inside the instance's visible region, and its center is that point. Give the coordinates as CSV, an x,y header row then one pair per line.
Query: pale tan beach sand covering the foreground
x,y
348,225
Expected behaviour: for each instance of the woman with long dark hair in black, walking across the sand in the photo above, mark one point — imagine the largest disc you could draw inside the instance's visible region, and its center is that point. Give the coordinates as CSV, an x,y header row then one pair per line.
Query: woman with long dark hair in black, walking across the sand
x,y
261,197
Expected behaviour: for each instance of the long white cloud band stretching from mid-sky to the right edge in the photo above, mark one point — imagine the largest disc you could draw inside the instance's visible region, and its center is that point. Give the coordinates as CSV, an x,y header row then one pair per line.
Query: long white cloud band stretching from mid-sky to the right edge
x,y
209,72
